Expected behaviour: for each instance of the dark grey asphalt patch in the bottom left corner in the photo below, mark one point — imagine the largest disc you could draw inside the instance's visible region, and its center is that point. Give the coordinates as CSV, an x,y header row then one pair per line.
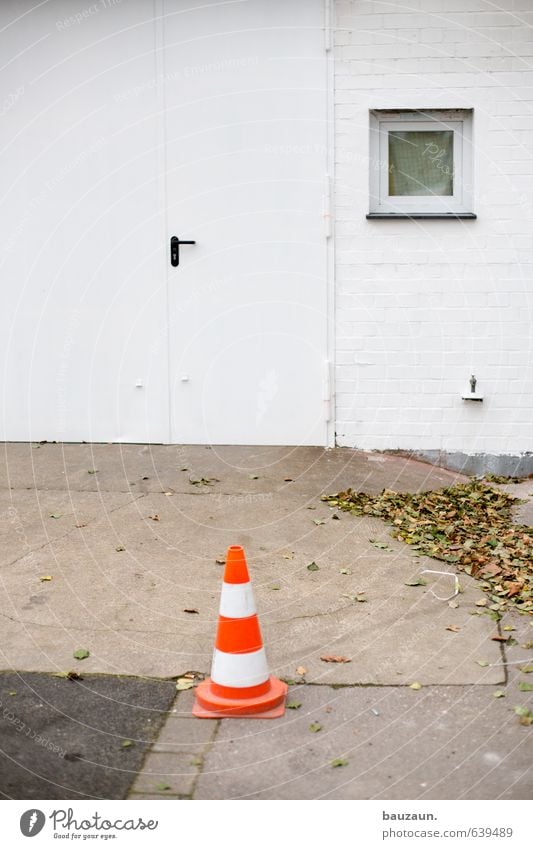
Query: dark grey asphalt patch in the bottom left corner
x,y
64,739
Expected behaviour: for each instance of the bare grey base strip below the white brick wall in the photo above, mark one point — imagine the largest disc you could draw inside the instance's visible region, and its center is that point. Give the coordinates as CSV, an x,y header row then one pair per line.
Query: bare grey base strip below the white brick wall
x,y
511,465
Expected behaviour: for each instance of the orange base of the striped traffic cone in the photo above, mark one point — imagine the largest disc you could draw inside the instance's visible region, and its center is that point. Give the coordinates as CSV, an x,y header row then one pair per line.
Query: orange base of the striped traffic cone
x,y
270,705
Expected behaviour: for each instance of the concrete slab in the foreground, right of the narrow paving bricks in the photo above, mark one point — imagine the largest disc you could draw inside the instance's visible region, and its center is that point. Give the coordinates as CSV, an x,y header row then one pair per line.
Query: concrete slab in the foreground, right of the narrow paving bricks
x,y
435,743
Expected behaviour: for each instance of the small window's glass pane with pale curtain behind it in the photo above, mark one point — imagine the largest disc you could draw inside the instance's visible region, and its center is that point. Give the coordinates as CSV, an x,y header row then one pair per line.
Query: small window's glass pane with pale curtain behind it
x,y
421,162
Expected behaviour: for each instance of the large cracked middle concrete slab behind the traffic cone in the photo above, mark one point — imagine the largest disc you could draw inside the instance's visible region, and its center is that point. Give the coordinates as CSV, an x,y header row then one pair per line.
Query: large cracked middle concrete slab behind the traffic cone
x,y
129,606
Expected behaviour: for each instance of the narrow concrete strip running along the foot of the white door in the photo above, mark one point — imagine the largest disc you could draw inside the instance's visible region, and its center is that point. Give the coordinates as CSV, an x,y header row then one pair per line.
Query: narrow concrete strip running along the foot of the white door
x,y
239,469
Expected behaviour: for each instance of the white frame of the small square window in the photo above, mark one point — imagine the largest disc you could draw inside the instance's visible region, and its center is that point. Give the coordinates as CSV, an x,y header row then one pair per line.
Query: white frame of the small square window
x,y
460,203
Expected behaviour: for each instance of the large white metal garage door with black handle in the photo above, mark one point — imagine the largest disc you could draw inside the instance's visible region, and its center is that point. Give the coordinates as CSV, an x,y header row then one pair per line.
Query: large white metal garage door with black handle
x,y
125,127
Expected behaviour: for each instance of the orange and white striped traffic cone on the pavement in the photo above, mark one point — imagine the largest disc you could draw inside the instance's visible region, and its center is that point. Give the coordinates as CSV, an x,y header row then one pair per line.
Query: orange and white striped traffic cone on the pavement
x,y
240,684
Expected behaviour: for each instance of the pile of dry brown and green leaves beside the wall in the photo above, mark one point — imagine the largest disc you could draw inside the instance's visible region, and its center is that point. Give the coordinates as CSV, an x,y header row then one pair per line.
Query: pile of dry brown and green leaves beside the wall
x,y
469,525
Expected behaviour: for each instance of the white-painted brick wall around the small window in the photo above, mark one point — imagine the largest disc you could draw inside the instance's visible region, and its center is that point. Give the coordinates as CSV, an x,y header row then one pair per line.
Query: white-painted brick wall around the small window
x,y
421,305
